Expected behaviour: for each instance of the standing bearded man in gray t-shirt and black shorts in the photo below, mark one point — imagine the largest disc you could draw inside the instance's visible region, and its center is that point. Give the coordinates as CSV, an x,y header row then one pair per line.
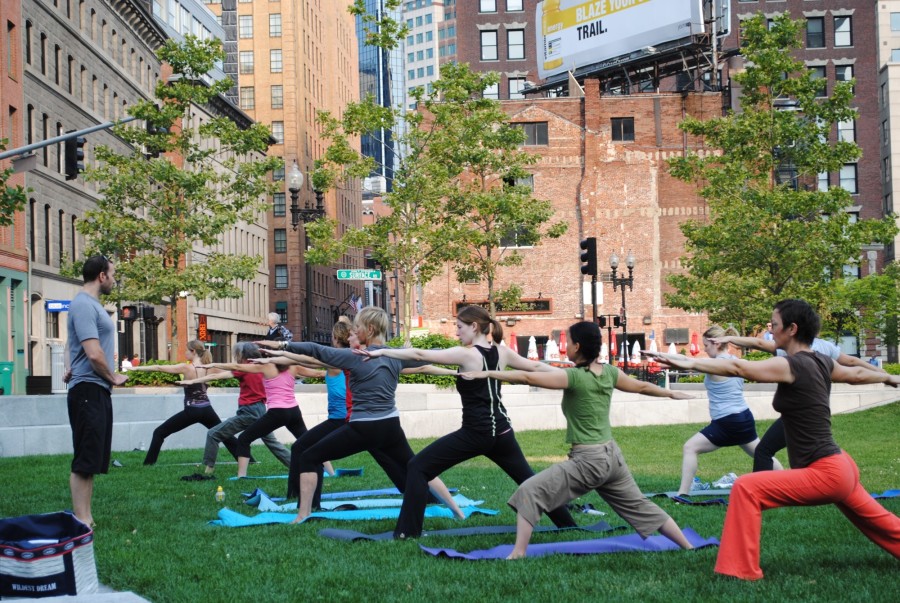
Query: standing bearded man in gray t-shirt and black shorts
x,y
89,360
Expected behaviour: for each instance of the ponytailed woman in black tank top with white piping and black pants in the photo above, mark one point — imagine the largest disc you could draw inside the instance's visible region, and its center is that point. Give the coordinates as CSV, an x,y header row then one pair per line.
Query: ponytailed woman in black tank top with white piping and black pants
x,y
485,430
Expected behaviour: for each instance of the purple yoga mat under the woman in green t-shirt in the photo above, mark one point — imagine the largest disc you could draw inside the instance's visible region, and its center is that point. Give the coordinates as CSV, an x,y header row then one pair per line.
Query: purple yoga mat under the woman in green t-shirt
x,y
614,544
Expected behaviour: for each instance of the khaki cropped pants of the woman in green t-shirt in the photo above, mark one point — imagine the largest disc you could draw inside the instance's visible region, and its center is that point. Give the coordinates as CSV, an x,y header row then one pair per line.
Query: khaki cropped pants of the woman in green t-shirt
x,y
598,467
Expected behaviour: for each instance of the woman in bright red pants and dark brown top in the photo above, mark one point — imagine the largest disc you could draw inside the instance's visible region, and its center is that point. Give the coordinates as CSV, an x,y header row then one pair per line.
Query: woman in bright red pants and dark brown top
x,y
821,473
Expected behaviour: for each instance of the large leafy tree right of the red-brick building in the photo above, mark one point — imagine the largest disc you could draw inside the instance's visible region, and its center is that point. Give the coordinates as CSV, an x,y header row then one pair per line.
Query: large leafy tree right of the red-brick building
x,y
772,233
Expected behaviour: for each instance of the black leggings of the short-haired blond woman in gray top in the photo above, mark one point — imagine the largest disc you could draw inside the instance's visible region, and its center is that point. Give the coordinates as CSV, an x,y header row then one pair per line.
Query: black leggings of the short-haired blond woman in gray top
x,y
383,439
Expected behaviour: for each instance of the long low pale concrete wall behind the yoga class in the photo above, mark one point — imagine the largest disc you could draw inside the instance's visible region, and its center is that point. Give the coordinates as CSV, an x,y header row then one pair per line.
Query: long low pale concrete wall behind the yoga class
x,y
39,424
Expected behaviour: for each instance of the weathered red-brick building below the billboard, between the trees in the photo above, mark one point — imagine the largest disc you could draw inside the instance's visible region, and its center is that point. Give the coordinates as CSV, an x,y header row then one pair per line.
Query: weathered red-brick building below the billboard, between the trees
x,y
609,184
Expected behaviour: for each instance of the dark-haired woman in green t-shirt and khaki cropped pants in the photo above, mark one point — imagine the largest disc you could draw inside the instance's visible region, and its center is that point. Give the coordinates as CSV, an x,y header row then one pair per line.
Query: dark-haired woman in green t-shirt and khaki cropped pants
x,y
595,461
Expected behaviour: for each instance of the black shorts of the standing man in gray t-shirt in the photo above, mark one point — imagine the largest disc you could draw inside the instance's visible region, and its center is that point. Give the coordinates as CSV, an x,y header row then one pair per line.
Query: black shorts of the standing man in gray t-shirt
x,y
90,415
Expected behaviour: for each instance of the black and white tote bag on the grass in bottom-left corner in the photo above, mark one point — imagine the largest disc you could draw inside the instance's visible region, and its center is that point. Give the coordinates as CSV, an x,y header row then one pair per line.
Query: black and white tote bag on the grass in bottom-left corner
x,y
46,555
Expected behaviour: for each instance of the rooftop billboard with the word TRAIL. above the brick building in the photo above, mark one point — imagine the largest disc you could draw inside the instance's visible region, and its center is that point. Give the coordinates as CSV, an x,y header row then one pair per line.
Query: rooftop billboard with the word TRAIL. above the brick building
x,y
574,33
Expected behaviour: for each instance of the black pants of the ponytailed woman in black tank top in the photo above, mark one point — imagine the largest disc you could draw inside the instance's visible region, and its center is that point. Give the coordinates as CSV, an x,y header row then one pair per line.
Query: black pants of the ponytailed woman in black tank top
x,y
449,451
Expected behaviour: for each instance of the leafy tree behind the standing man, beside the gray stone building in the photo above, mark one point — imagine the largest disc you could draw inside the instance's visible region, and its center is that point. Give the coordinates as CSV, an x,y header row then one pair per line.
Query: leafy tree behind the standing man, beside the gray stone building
x,y
153,210
